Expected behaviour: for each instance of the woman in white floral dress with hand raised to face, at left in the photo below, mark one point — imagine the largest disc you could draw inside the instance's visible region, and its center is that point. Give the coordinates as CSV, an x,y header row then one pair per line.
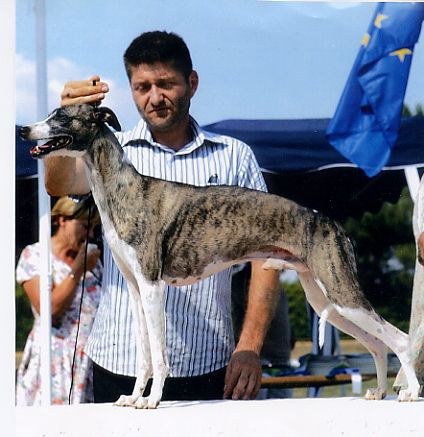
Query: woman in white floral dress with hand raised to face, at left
x,y
72,224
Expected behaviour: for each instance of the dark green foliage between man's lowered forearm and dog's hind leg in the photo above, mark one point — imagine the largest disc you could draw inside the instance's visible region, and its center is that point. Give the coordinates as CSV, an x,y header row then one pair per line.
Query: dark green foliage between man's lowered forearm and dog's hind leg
x,y
298,316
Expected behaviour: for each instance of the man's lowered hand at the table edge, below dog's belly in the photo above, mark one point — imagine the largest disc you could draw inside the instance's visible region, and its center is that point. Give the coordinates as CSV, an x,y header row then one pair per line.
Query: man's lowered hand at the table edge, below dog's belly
x,y
243,376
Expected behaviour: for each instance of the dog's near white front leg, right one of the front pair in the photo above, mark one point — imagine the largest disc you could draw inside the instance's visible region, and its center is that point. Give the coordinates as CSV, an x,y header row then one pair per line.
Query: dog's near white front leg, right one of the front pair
x,y
153,301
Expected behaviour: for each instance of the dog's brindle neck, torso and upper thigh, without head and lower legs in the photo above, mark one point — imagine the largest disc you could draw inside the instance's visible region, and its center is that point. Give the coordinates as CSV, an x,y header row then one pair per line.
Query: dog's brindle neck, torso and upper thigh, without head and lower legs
x,y
182,233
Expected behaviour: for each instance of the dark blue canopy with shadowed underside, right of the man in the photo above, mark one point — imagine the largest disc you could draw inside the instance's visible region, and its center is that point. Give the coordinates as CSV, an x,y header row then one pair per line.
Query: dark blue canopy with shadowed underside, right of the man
x,y
300,164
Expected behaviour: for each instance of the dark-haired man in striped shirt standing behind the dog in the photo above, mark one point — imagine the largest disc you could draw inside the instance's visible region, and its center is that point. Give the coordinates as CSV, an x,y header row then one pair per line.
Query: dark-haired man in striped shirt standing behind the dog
x,y
167,143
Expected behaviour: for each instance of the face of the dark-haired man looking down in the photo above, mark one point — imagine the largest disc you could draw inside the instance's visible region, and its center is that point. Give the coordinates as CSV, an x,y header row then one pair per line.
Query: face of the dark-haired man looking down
x,y
162,95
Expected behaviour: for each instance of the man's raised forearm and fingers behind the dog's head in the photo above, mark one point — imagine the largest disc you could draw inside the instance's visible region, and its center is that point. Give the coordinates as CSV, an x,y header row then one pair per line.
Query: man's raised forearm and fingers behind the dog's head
x,y
65,175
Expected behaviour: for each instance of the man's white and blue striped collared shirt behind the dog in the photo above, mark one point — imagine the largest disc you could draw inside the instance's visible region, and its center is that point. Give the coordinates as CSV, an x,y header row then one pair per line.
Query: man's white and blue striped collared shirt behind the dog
x,y
198,317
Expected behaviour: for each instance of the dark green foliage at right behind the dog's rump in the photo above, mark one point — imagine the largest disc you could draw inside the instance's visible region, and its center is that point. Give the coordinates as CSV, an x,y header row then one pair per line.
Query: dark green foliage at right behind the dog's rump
x,y
385,249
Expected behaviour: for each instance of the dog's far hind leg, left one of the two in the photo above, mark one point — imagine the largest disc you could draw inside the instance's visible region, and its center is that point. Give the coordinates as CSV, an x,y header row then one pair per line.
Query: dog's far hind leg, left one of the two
x,y
318,300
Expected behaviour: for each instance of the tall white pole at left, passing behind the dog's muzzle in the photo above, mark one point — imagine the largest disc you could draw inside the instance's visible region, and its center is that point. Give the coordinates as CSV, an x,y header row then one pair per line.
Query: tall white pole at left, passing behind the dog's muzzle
x,y
43,212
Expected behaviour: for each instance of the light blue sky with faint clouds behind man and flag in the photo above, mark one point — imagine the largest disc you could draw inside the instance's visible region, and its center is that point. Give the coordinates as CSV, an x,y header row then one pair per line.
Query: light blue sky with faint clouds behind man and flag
x,y
255,59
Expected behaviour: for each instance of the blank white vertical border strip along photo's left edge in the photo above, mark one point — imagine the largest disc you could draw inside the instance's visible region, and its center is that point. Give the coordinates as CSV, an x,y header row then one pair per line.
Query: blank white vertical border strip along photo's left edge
x,y
7,223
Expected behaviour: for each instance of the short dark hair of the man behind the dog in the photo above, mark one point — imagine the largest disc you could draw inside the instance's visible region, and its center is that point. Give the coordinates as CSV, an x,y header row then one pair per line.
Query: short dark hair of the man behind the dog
x,y
158,46
